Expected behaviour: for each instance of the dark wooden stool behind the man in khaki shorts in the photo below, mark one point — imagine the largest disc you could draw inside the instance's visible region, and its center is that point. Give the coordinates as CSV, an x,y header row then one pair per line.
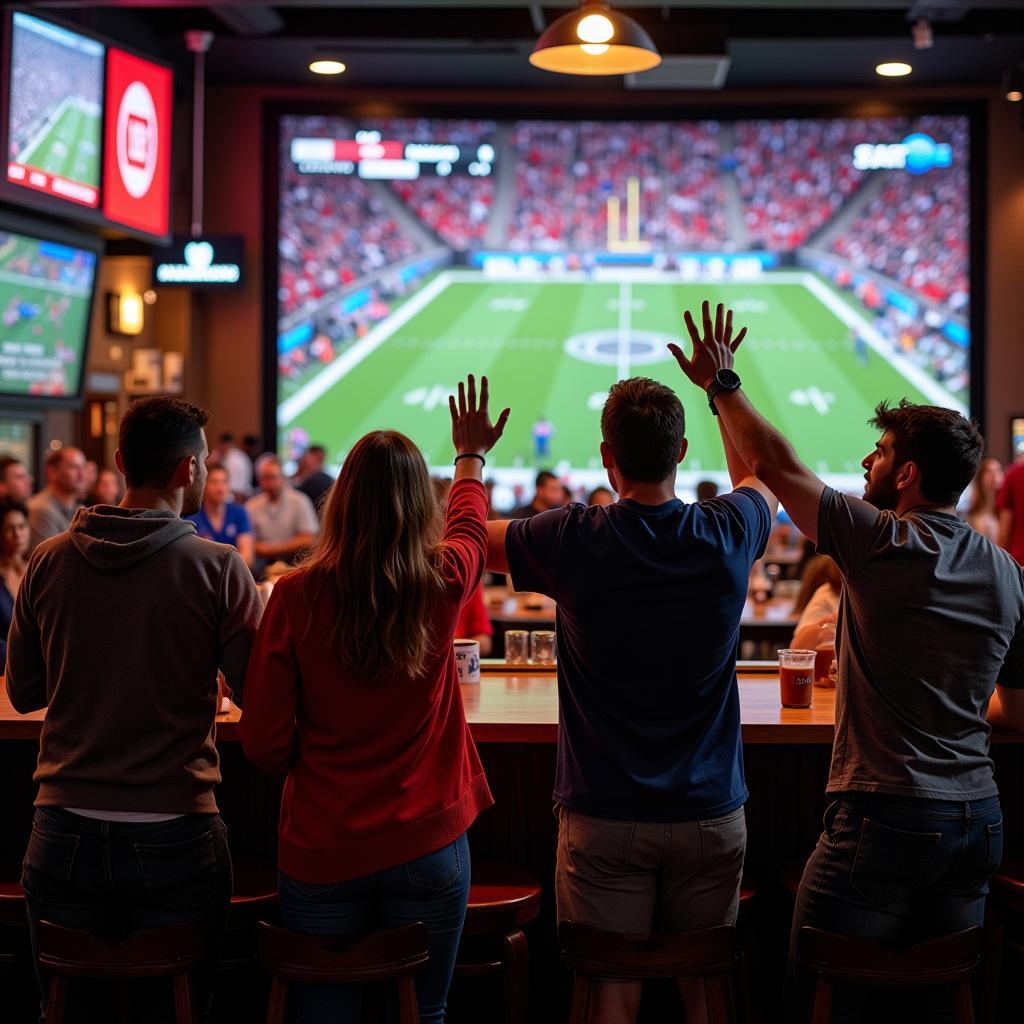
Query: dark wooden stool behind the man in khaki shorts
x,y
593,955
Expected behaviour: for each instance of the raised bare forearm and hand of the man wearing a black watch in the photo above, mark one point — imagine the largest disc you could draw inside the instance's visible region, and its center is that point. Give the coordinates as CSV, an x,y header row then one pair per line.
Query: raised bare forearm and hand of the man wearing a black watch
x,y
762,448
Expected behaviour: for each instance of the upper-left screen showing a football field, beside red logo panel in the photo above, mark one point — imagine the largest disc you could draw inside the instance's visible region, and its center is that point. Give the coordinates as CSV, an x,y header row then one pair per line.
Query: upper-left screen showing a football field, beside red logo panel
x,y
56,110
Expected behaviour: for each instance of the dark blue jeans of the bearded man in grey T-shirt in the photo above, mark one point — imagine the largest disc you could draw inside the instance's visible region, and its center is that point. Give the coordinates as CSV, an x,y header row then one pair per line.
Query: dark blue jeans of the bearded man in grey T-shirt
x,y
897,871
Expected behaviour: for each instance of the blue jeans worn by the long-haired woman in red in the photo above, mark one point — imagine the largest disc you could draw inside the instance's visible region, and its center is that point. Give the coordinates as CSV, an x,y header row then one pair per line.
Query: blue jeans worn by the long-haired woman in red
x,y
434,889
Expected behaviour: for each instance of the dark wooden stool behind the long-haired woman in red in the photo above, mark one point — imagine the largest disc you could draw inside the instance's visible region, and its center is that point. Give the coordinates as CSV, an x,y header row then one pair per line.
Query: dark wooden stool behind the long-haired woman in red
x,y
392,956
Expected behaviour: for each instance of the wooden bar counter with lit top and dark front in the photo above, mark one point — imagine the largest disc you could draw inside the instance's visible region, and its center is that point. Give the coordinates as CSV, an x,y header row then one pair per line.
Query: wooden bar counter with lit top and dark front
x,y
514,715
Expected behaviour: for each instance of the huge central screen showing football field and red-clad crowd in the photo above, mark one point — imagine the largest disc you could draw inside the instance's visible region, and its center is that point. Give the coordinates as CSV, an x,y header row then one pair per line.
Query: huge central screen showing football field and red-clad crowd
x,y
558,258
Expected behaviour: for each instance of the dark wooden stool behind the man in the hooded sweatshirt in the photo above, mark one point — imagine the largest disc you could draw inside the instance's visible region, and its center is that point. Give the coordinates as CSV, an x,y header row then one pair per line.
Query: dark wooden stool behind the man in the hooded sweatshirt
x,y
160,953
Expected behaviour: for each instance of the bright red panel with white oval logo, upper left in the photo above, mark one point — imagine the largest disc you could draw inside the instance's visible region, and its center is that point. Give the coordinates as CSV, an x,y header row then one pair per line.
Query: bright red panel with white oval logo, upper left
x,y
138,145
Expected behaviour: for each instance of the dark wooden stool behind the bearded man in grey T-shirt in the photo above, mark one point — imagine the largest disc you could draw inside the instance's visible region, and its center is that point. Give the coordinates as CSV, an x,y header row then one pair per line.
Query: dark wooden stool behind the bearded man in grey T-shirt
x,y
947,960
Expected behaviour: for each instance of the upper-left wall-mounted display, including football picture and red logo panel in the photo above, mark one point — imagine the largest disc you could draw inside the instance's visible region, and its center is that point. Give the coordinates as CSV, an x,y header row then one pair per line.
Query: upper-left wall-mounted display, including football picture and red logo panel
x,y
88,127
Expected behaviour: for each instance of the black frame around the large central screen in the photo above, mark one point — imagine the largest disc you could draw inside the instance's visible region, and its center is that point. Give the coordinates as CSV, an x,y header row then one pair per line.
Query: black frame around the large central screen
x,y
653,107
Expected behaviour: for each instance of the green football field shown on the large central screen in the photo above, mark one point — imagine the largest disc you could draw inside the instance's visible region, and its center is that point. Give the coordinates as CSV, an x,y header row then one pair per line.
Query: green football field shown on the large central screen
x,y
553,350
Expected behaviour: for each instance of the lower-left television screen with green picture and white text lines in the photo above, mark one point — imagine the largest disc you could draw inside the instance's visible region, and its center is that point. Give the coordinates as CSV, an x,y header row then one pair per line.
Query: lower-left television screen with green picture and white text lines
x,y
47,290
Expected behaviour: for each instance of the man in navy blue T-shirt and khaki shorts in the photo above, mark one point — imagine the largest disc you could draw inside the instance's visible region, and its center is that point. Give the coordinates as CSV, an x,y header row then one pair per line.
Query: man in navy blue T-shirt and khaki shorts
x,y
650,784
